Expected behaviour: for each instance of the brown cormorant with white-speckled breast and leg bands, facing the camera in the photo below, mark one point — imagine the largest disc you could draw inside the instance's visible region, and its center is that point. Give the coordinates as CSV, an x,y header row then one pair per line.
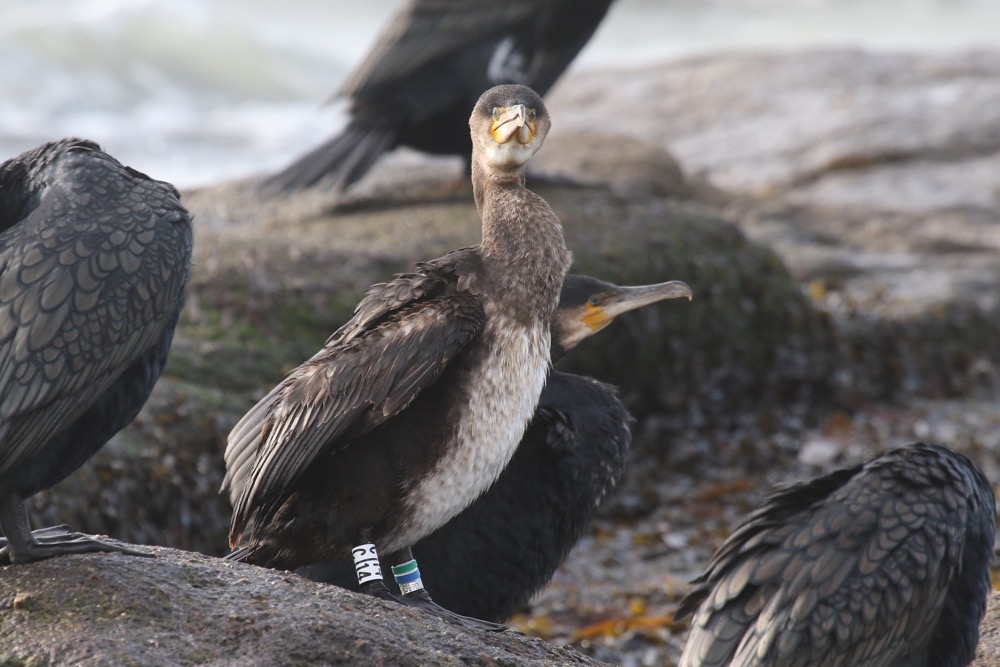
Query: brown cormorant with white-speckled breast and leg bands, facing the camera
x,y
415,406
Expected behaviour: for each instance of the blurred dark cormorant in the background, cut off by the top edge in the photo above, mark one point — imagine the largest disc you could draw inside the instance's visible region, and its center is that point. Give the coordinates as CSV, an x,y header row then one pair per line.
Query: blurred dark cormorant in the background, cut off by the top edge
x,y
427,69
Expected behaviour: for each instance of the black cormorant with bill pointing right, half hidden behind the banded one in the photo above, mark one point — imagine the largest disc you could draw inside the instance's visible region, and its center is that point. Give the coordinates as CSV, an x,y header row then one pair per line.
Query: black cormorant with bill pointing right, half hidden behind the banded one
x,y
489,560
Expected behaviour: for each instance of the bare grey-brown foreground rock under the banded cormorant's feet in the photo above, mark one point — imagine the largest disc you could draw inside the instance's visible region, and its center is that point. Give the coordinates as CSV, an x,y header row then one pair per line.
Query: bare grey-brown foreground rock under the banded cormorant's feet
x,y
181,608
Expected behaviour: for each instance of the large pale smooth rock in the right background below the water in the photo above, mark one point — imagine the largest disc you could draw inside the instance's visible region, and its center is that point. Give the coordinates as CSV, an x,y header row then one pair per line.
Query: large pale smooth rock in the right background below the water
x,y
875,177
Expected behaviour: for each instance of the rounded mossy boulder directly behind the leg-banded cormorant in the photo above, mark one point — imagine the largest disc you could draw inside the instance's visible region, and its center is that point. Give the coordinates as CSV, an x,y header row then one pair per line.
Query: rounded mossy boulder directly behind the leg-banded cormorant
x,y
749,336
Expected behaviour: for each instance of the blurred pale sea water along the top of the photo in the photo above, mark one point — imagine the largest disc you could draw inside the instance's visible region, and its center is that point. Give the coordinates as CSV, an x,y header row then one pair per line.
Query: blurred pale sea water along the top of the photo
x,y
195,91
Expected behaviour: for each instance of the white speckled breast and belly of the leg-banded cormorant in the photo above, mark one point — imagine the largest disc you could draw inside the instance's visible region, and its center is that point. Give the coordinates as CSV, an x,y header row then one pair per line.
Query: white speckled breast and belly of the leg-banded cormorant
x,y
489,432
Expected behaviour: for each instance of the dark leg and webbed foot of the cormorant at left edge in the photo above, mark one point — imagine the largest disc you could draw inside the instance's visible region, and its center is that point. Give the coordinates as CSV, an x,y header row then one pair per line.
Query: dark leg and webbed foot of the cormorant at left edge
x,y
21,545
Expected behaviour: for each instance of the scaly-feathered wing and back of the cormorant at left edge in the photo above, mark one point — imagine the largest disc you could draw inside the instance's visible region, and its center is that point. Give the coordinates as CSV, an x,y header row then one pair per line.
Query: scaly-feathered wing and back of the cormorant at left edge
x,y
87,284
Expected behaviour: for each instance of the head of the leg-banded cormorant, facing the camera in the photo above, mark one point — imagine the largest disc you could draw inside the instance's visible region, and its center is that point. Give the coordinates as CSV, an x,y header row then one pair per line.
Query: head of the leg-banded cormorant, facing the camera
x,y
508,126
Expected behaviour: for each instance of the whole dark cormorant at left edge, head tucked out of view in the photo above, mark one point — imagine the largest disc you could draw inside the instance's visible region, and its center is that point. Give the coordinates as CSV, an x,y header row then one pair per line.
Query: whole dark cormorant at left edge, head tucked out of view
x,y
94,259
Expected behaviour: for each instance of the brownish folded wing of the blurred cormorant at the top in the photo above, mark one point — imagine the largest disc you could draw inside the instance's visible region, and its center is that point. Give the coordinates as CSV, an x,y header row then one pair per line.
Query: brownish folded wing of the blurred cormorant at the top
x,y
426,30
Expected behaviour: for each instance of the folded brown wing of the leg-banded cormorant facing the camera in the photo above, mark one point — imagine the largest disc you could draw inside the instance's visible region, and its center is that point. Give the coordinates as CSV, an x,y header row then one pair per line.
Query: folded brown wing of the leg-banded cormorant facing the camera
x,y
369,371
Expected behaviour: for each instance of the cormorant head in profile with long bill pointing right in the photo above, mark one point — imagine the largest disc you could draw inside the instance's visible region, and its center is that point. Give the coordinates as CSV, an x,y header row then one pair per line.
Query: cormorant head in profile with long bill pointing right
x,y
587,305
